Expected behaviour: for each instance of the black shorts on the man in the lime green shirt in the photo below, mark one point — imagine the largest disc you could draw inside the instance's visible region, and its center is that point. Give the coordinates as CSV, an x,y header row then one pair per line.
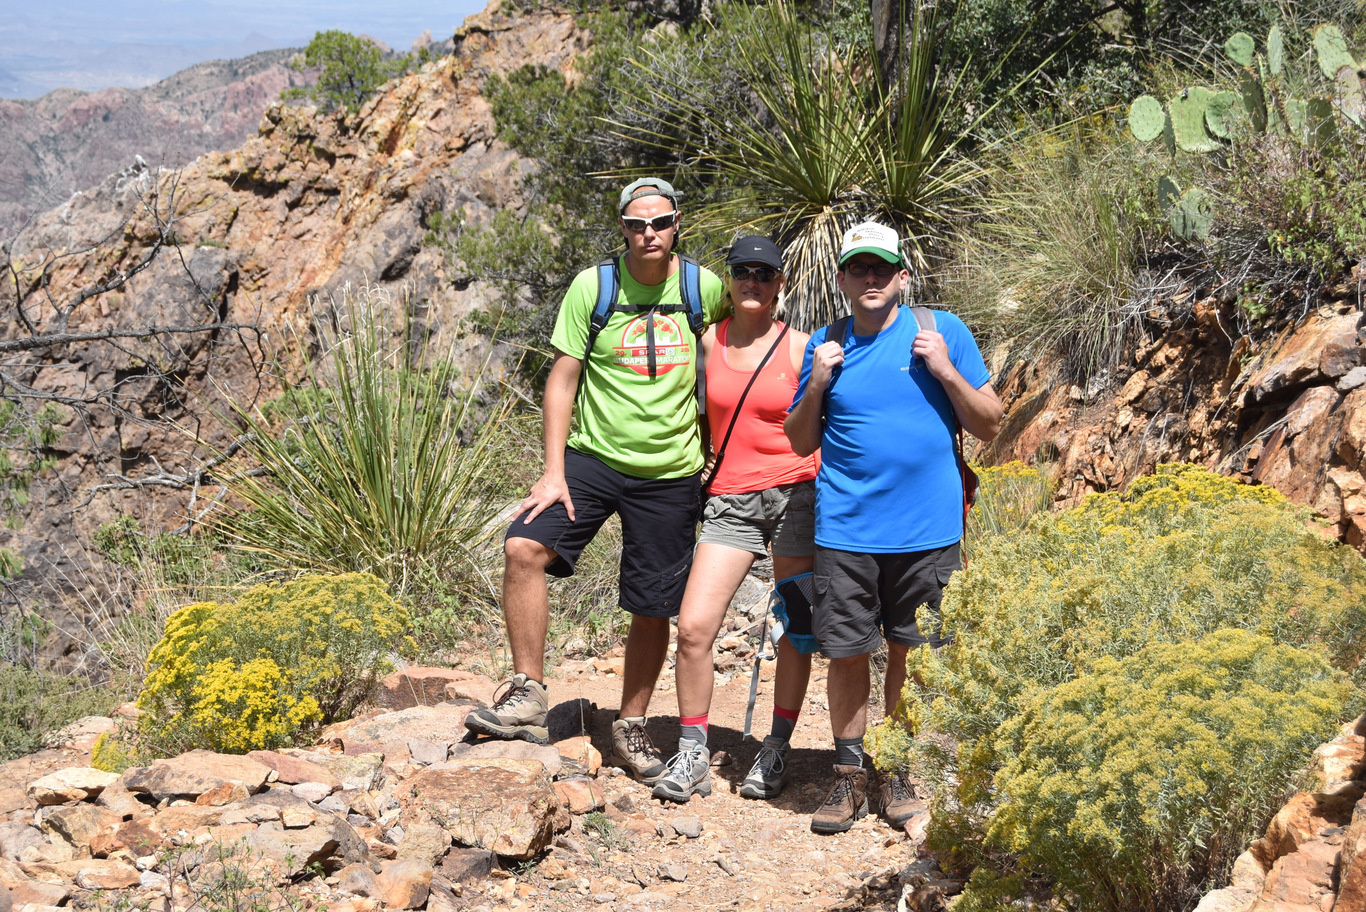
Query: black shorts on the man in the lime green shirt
x,y
659,529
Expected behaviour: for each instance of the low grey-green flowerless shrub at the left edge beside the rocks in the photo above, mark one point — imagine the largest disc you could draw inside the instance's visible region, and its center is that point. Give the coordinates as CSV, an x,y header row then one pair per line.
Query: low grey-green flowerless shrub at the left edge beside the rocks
x,y
35,704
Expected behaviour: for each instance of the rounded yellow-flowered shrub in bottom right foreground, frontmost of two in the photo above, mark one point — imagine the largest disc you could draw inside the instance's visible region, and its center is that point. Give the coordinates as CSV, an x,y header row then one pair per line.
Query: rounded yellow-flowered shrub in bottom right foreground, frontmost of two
x,y
1137,786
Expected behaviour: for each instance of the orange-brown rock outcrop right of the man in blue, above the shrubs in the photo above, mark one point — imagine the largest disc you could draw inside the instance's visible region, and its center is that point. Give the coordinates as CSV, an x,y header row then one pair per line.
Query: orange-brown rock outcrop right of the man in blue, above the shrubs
x,y
1285,410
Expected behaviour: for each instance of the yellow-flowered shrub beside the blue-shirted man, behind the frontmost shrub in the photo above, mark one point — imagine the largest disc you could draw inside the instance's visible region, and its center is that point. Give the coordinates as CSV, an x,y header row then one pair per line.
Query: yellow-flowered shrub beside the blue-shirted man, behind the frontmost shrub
x,y
1184,554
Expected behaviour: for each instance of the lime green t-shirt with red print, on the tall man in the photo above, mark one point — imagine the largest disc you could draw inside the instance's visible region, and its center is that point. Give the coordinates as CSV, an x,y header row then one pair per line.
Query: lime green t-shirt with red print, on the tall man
x,y
640,427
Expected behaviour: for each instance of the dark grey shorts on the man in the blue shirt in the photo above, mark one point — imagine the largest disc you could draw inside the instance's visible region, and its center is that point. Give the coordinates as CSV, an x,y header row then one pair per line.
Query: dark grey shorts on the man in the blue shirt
x,y
860,599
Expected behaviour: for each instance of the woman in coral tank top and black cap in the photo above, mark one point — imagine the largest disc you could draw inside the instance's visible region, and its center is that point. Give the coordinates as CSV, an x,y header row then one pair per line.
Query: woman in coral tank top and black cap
x,y
763,496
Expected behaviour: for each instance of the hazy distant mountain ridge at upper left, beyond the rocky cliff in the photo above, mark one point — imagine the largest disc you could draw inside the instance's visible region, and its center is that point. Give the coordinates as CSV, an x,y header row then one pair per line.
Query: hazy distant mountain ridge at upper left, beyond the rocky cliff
x,y
69,140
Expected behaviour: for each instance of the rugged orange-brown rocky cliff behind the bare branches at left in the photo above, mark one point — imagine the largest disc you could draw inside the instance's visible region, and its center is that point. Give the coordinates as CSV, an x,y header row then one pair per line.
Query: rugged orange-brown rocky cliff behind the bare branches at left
x,y
304,208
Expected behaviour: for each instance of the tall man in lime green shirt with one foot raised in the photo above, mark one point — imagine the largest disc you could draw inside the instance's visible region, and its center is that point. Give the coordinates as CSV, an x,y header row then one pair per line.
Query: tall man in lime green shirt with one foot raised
x,y
636,453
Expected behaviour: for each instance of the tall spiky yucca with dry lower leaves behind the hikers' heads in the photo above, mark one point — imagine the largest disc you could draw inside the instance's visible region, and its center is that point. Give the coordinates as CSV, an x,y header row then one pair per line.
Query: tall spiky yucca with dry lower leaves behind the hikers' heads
x,y
816,144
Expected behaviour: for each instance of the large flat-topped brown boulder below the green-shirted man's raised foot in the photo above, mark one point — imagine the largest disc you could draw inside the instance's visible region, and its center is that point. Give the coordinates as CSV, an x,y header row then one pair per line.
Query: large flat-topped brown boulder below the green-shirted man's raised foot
x,y
498,805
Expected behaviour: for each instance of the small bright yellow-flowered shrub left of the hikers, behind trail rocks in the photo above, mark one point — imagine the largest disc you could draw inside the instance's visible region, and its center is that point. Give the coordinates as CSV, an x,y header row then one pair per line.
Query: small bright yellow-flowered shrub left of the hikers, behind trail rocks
x,y
253,674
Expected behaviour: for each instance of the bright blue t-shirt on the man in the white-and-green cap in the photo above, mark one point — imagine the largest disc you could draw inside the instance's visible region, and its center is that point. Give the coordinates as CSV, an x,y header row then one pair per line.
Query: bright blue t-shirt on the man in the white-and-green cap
x,y
889,481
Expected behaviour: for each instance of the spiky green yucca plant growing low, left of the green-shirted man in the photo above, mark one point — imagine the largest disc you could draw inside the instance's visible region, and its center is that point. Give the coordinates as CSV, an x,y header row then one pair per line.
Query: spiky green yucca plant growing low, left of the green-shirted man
x,y
378,465
